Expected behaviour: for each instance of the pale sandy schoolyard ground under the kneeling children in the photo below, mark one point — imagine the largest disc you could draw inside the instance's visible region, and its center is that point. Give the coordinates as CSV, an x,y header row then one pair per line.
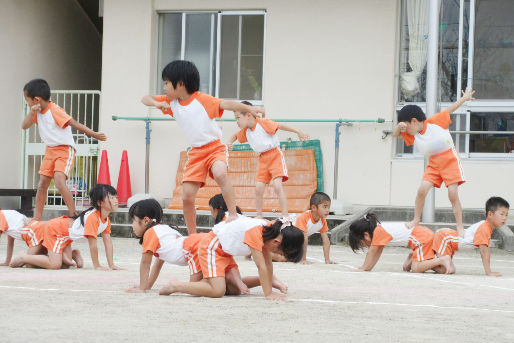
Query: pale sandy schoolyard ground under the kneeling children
x,y
327,303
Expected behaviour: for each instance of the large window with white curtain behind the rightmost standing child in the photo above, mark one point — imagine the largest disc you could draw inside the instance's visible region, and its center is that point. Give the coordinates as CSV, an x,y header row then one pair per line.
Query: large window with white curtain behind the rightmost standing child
x,y
487,65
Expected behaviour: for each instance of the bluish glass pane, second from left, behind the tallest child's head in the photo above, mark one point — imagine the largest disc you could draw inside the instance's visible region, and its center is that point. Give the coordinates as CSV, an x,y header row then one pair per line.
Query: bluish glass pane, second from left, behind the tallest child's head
x,y
199,36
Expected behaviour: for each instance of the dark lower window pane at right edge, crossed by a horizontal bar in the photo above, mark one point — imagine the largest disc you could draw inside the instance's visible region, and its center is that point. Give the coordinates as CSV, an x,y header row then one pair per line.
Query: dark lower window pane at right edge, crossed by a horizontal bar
x,y
492,121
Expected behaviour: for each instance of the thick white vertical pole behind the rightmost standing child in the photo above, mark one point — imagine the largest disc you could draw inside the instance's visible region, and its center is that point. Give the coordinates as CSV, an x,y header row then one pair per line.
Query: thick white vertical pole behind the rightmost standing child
x,y
431,90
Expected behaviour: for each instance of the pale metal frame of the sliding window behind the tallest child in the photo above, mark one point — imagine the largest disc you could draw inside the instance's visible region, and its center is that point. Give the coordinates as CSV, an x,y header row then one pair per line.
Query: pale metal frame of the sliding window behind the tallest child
x,y
216,32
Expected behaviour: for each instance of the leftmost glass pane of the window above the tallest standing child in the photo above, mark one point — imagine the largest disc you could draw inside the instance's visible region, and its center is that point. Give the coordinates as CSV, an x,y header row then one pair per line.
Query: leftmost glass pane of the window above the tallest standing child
x,y
170,41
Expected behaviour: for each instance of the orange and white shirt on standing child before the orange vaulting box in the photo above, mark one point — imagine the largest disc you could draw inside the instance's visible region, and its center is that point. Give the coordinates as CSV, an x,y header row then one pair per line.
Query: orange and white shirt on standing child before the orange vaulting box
x,y
262,136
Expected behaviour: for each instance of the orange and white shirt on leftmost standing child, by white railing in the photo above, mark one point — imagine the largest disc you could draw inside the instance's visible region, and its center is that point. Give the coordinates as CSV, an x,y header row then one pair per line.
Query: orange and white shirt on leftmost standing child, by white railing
x,y
53,126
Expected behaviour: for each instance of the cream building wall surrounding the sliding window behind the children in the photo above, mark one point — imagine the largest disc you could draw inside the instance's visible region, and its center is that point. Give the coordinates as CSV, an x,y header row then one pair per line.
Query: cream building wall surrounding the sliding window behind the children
x,y
340,61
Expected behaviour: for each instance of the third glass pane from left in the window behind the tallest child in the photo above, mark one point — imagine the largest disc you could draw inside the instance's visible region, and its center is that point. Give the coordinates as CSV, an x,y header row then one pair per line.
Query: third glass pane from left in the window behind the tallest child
x,y
229,62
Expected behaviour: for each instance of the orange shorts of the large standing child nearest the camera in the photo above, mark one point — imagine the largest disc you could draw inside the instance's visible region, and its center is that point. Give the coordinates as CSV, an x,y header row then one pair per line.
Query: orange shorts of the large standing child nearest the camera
x,y
201,159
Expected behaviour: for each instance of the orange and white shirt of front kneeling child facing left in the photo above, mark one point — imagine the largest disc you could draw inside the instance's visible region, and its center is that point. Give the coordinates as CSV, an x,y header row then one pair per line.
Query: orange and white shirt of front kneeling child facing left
x,y
165,243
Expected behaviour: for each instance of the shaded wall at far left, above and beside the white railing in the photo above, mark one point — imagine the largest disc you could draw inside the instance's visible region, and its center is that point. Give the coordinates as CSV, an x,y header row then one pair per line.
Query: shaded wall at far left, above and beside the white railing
x,y
51,39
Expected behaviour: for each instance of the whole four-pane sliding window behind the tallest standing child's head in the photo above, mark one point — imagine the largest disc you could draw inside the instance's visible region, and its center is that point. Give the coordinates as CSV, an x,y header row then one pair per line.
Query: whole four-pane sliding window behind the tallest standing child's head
x,y
227,48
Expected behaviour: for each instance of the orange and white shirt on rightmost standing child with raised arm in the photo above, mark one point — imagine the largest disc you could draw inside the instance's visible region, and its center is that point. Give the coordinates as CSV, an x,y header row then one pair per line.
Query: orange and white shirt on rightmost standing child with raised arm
x,y
435,137
